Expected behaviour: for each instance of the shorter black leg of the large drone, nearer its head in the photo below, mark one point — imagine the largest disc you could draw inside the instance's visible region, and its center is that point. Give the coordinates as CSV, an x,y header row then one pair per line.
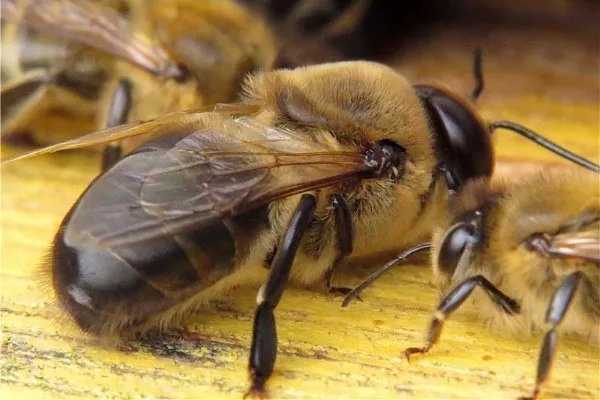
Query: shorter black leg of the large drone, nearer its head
x,y
345,237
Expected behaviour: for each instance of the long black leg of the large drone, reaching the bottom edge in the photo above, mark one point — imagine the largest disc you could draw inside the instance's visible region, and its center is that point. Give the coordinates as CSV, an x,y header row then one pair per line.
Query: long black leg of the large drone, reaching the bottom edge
x,y
264,335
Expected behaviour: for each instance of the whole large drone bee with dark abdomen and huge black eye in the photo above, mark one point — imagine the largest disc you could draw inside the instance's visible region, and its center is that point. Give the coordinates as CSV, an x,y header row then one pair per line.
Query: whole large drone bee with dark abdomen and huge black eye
x,y
315,166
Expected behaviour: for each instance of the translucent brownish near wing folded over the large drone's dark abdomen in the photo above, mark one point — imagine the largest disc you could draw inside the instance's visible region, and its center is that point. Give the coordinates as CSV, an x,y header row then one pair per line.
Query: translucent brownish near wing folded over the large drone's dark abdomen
x,y
219,171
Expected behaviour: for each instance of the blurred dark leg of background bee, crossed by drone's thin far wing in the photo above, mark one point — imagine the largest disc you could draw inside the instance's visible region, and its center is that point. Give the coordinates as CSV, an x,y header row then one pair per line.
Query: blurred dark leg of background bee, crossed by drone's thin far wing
x,y
117,115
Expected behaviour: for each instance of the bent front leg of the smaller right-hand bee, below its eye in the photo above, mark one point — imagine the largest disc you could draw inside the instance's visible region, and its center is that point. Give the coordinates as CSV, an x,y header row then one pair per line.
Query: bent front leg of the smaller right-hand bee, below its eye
x,y
453,300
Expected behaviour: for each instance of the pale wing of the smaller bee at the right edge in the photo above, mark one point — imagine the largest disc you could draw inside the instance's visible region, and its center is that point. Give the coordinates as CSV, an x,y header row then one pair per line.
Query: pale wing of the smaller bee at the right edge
x,y
583,243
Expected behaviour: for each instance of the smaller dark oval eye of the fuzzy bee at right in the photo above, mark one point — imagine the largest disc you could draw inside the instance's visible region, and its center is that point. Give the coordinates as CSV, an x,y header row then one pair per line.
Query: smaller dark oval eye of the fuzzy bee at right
x,y
453,246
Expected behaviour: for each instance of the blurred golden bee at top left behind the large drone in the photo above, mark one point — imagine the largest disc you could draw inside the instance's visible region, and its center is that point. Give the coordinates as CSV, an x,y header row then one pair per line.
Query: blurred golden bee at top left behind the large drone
x,y
167,56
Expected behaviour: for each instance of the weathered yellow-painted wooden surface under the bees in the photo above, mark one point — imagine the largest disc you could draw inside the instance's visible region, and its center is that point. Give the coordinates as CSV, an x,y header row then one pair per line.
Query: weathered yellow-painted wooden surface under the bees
x,y
541,78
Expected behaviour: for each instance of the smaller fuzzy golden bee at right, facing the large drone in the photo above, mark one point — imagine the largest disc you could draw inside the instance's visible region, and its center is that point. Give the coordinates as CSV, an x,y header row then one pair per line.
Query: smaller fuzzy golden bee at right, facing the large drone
x,y
531,246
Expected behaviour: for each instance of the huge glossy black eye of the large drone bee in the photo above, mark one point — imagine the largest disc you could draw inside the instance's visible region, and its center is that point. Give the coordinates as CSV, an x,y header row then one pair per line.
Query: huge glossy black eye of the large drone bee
x,y
463,141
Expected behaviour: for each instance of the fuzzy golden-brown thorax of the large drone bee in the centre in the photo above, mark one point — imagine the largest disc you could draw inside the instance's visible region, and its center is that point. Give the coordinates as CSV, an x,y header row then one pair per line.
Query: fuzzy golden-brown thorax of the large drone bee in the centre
x,y
349,106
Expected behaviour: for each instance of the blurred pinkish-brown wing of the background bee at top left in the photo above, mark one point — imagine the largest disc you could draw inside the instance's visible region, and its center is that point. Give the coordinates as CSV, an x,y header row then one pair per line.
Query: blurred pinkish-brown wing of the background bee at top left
x,y
90,23
